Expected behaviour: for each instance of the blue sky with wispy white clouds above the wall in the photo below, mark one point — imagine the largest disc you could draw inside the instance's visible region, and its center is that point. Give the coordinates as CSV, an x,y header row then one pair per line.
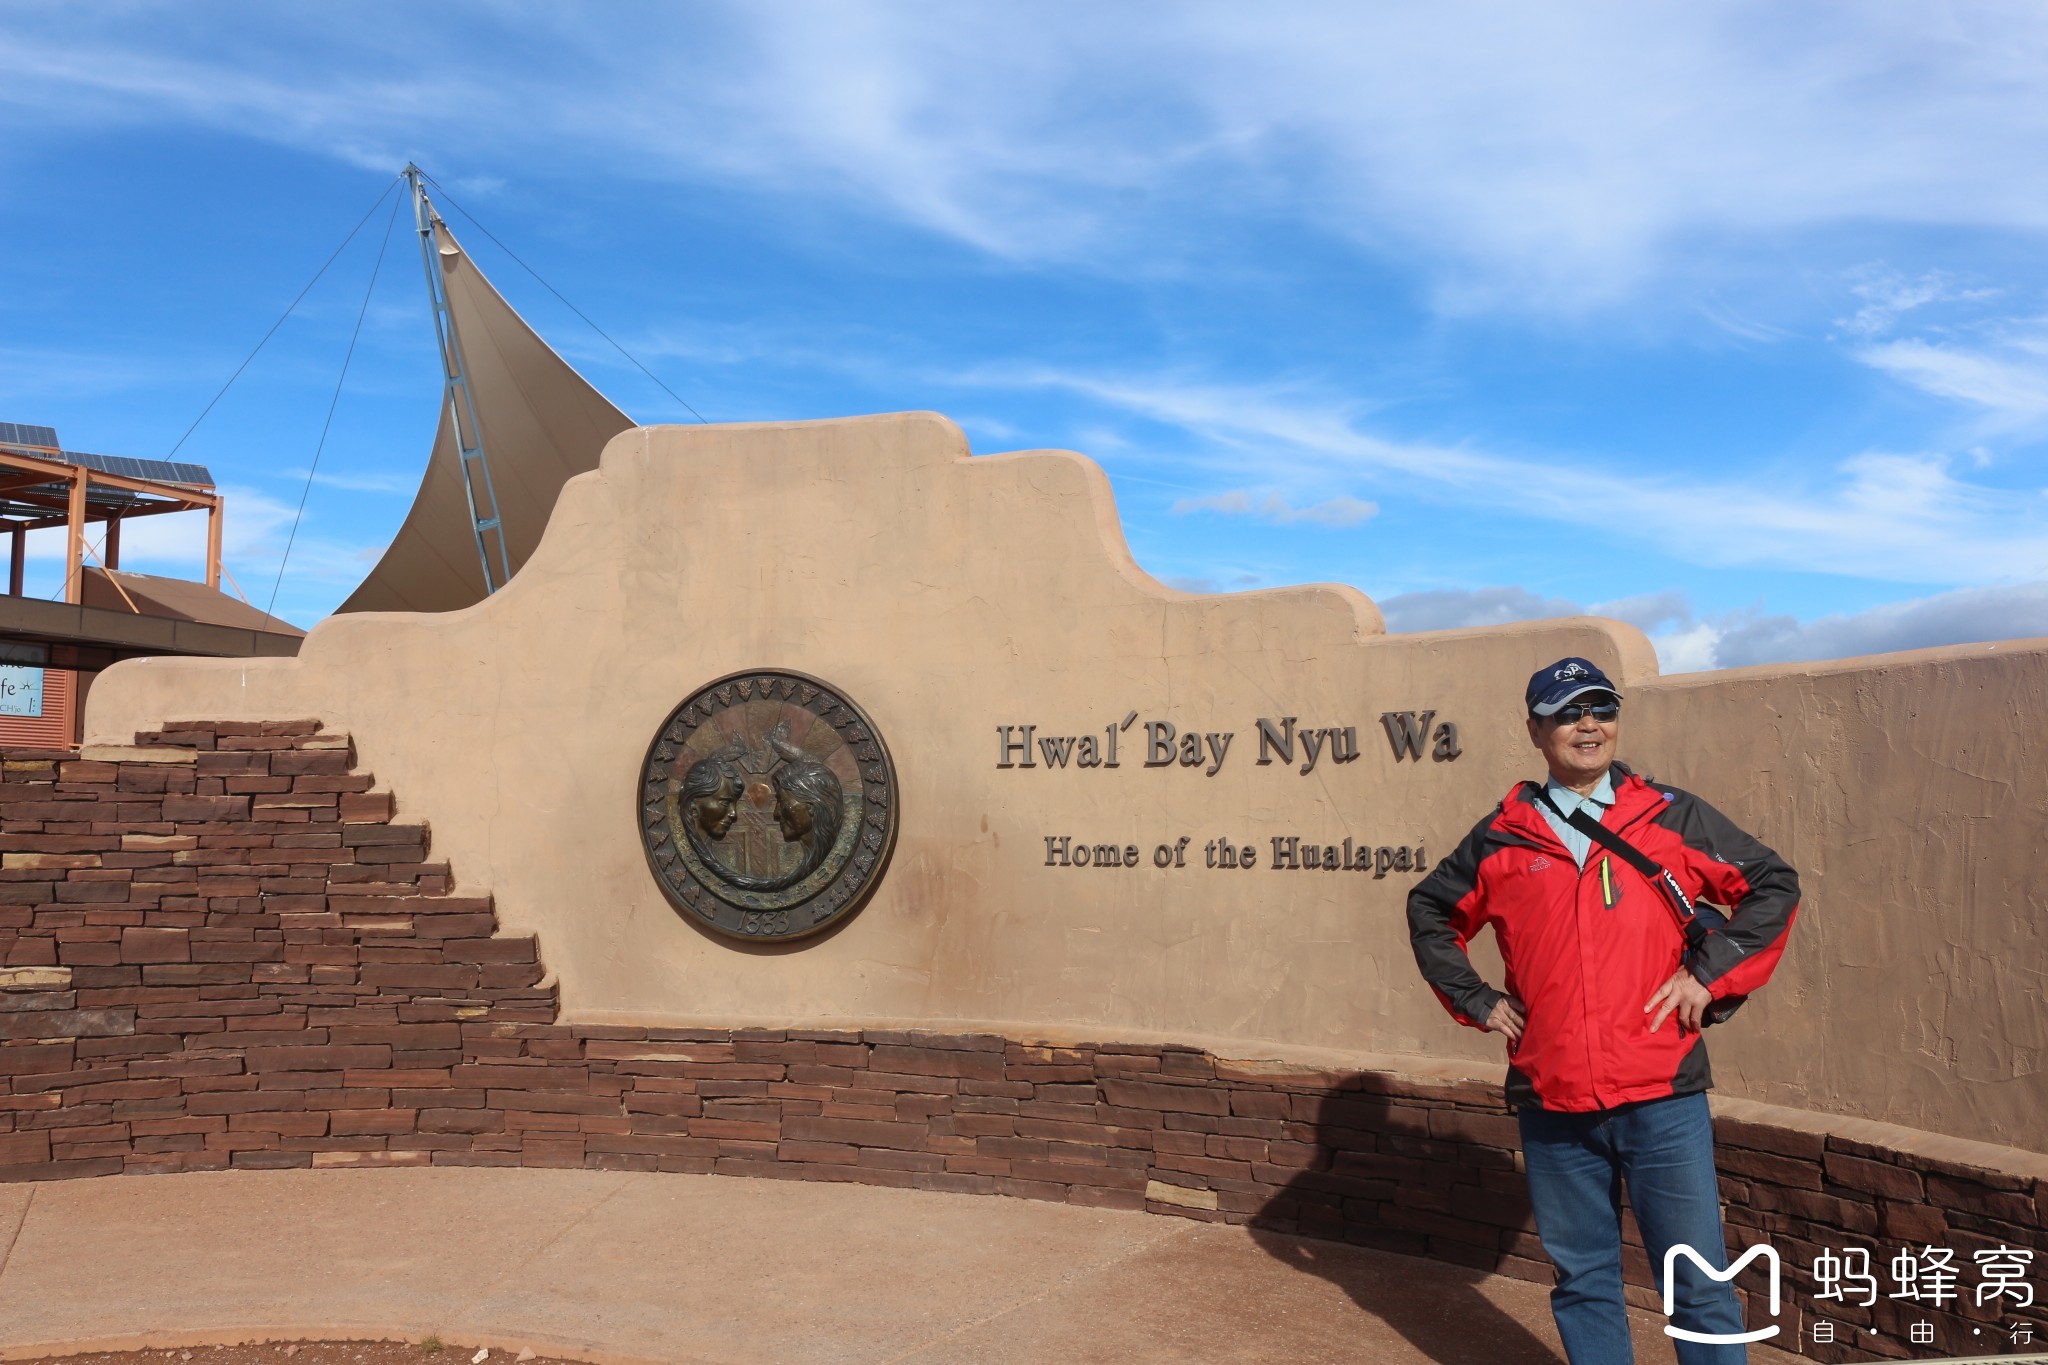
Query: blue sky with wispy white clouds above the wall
x,y
1730,320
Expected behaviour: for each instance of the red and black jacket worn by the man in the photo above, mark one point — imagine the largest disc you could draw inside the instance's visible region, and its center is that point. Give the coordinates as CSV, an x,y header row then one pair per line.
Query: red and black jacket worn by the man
x,y
1588,949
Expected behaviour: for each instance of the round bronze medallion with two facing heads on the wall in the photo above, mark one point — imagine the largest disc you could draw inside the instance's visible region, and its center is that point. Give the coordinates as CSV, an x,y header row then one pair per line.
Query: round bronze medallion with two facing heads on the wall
x,y
769,807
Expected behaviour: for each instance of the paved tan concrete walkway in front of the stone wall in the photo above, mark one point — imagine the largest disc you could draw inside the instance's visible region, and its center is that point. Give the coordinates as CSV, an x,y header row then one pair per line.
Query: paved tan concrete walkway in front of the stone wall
x,y
632,1270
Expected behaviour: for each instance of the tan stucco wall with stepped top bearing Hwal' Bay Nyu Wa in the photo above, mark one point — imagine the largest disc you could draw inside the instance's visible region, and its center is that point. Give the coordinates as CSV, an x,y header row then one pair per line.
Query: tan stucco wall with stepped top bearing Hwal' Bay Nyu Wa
x,y
953,597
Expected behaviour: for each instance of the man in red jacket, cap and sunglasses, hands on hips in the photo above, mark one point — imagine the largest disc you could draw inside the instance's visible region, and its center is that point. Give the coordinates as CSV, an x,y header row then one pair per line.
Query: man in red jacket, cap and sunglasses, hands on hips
x,y
1590,883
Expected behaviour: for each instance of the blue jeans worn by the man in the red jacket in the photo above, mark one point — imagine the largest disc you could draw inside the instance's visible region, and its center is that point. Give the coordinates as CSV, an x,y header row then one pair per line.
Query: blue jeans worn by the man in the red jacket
x,y
1664,1149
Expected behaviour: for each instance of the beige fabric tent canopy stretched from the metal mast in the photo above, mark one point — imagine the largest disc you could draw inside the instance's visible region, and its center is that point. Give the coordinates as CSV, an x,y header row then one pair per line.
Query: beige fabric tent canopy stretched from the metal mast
x,y
542,423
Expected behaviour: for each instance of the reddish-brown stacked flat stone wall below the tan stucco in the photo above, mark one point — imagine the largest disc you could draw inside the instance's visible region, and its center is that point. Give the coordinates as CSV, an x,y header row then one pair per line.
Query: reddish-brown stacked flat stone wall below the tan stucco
x,y
222,951
